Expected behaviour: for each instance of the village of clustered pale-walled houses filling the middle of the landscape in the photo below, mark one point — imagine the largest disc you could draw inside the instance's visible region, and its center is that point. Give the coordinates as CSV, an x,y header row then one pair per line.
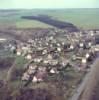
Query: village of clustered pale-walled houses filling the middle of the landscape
x,y
56,53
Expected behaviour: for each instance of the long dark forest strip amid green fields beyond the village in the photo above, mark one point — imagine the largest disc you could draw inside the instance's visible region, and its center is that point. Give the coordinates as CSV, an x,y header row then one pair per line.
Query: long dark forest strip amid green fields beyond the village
x,y
59,24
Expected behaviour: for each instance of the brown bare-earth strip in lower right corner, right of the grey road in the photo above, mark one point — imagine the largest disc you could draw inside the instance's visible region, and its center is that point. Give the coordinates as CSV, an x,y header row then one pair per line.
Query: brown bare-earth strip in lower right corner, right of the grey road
x,y
91,90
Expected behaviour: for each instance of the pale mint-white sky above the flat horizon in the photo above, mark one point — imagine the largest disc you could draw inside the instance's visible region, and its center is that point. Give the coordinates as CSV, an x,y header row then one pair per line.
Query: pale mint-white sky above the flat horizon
x,y
33,4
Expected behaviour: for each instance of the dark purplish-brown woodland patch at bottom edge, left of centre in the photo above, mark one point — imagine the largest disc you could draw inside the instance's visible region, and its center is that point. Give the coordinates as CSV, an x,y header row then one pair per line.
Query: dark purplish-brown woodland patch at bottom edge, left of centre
x,y
34,94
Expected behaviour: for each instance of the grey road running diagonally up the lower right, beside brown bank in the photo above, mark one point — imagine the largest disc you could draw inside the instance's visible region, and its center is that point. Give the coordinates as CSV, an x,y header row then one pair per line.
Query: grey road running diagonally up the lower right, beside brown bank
x,y
89,78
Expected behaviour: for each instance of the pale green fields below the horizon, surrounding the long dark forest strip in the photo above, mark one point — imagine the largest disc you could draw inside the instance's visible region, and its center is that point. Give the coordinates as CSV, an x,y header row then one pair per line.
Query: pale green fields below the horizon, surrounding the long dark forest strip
x,y
82,18
